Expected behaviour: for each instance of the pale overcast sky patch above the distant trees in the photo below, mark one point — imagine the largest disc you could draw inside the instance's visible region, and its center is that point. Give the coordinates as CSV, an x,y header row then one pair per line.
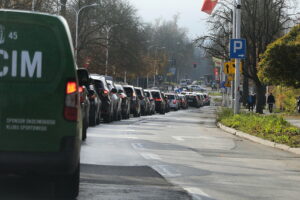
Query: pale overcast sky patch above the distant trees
x,y
191,16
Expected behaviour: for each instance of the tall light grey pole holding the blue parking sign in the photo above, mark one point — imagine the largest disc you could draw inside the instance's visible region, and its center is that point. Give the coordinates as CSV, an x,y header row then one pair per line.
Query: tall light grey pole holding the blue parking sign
x,y
237,61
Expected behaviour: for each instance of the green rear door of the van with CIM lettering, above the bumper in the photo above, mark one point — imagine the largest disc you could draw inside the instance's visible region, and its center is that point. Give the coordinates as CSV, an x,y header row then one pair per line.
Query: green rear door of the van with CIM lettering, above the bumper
x,y
36,64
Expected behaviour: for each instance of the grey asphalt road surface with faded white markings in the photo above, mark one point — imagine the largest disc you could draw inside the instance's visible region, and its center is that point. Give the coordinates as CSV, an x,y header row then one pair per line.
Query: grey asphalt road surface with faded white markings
x,y
180,155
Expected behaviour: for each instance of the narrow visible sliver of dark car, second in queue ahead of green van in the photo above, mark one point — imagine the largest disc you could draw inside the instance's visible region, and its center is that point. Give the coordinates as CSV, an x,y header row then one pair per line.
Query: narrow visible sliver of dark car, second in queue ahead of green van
x,y
95,106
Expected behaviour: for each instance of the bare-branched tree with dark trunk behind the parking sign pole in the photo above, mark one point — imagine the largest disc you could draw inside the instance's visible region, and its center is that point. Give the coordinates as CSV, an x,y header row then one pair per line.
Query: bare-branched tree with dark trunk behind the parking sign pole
x,y
263,21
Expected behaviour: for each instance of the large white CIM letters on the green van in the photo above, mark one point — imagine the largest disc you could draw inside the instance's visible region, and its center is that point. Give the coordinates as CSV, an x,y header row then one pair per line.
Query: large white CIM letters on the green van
x,y
28,67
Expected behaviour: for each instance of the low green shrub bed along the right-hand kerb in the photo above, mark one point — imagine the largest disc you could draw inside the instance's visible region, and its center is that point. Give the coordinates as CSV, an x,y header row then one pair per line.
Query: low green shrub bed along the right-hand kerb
x,y
272,127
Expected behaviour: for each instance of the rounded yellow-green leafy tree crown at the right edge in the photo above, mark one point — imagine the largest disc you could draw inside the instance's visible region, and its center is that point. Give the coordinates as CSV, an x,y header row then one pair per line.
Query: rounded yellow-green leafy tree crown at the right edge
x,y
280,63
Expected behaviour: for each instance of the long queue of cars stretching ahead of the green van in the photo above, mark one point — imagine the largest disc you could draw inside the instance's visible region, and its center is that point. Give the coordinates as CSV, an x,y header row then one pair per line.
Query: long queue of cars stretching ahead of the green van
x,y
102,99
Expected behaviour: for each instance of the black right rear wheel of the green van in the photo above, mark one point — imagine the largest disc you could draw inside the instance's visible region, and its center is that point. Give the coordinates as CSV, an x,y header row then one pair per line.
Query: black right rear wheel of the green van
x,y
67,186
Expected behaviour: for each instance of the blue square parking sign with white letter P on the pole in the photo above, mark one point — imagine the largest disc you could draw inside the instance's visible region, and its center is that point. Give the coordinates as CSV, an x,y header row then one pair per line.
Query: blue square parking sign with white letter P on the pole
x,y
238,48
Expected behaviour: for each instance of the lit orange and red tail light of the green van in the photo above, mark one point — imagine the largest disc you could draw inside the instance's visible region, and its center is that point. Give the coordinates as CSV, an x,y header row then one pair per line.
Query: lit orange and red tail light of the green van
x,y
71,101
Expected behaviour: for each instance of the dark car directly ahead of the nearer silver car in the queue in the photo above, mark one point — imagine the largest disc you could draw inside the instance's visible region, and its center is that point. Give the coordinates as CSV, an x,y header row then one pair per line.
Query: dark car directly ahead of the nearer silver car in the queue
x,y
135,106
